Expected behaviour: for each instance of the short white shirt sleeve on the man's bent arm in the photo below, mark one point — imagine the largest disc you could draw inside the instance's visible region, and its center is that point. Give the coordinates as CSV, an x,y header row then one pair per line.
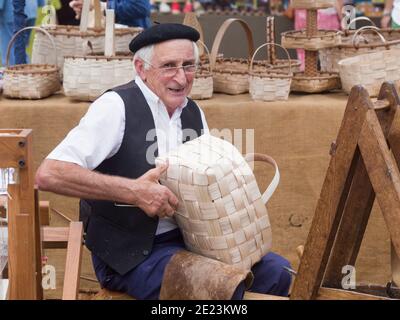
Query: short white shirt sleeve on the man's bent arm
x,y
98,135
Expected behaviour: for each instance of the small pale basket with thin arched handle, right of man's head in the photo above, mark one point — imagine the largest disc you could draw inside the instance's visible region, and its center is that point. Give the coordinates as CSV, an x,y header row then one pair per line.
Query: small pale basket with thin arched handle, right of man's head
x,y
269,84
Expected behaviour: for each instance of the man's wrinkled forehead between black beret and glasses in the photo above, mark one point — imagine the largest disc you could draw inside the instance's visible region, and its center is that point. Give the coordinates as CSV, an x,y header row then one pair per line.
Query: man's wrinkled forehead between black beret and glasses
x,y
174,50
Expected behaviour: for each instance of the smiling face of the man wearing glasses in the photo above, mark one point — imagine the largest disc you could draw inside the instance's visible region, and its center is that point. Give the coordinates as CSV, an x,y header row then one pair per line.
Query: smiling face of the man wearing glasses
x,y
171,88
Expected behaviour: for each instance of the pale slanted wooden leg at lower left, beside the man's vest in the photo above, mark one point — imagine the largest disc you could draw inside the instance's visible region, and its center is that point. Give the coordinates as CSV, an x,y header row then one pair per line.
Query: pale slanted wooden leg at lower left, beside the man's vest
x,y
73,262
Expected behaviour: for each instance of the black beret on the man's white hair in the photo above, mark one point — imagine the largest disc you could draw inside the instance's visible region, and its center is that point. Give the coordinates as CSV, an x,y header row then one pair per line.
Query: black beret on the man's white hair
x,y
163,32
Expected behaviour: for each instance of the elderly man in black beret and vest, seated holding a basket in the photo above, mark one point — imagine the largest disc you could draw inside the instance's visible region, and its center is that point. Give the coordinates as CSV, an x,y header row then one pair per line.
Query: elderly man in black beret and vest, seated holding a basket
x,y
106,160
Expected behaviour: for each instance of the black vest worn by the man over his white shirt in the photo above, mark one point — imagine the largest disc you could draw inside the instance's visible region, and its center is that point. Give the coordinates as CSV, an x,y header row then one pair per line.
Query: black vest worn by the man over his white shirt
x,y
123,236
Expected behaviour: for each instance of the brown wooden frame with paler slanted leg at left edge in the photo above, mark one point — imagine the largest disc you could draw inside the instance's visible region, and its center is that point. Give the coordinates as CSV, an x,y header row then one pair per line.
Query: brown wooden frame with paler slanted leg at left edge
x,y
25,235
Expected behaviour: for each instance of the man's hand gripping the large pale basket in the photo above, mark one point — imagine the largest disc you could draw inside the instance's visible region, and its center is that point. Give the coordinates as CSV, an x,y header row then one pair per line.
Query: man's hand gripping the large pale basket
x,y
155,199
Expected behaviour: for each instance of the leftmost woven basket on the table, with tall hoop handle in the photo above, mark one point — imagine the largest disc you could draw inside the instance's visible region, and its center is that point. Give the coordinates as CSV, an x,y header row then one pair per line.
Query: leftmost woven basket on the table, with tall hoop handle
x,y
31,81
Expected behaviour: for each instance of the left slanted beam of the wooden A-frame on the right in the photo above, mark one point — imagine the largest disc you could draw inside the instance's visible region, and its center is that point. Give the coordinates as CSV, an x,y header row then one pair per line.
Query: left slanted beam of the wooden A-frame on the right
x,y
327,214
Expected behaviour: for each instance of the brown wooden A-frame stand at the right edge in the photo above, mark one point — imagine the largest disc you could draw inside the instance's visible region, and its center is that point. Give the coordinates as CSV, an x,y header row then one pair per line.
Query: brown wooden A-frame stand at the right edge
x,y
361,168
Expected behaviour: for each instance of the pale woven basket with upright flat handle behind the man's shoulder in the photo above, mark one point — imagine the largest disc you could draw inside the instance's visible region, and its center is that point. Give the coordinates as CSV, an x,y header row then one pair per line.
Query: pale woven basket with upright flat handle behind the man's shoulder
x,y
87,77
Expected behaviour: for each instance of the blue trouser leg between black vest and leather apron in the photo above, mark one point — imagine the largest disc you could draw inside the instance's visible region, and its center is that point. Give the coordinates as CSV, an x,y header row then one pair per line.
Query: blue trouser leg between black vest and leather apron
x,y
144,281
